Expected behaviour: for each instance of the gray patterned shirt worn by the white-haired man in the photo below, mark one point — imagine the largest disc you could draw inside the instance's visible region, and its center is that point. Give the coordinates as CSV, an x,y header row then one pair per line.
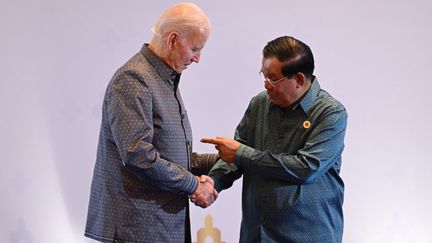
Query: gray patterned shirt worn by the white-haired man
x,y
141,178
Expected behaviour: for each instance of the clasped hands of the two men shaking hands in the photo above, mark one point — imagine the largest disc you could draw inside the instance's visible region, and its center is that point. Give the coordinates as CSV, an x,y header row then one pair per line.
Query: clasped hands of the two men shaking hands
x,y
205,193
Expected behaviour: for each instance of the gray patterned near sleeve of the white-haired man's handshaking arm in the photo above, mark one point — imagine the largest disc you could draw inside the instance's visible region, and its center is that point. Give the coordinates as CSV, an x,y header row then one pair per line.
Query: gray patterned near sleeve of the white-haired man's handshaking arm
x,y
130,113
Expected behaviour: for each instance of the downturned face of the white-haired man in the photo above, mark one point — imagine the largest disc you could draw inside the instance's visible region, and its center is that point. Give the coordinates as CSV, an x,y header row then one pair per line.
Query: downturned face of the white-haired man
x,y
186,50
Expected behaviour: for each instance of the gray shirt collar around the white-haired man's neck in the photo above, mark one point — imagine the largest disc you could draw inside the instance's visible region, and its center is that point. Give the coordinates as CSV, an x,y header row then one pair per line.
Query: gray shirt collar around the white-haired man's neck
x,y
165,72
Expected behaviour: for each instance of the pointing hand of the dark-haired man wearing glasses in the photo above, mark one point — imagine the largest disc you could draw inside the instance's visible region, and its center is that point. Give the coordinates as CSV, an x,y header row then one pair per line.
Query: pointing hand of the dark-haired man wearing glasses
x,y
227,147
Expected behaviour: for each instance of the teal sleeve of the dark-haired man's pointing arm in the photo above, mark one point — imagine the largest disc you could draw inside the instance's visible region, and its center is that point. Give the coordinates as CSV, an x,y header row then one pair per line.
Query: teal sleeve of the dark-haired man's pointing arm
x,y
320,151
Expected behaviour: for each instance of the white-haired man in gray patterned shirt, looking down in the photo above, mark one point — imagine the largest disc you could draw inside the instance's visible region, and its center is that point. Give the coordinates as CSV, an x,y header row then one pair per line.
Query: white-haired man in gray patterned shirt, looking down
x,y
142,176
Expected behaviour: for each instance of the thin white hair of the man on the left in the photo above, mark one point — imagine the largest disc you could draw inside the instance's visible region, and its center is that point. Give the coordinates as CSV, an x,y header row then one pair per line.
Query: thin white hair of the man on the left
x,y
183,18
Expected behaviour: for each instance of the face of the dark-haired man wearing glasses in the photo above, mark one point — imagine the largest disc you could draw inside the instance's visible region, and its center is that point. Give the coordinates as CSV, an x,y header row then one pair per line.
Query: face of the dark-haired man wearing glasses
x,y
283,93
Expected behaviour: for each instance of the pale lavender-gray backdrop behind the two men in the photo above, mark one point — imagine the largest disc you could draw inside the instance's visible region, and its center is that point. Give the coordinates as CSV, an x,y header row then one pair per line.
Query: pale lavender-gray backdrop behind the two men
x,y
58,56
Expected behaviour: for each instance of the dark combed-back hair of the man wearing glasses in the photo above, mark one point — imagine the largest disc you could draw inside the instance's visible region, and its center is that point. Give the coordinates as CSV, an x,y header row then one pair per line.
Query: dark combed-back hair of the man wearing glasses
x,y
298,55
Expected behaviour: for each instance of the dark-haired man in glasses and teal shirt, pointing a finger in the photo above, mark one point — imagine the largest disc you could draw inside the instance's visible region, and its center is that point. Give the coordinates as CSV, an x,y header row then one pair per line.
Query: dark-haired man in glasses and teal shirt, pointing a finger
x,y
288,148
